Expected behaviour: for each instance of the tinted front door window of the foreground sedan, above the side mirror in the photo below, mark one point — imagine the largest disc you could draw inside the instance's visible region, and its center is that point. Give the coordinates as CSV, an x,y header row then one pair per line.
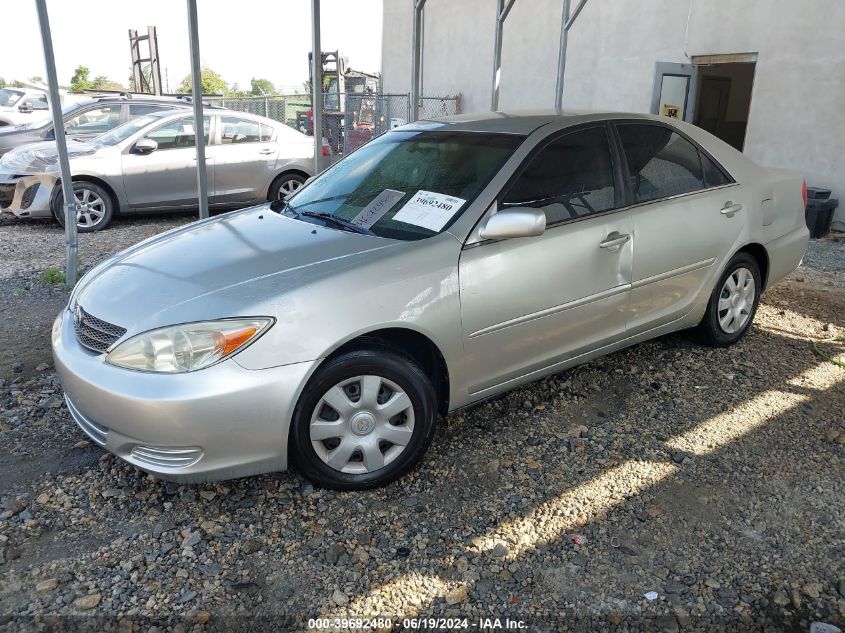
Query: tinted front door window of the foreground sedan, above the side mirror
x,y
570,178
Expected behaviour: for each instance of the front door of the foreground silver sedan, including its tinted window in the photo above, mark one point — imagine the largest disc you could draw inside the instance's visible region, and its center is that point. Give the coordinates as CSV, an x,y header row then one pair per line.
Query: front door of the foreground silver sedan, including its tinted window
x,y
530,303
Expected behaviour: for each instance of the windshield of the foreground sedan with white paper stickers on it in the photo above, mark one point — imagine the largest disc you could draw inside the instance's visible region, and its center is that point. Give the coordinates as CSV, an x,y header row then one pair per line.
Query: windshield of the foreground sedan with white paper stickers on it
x,y
407,185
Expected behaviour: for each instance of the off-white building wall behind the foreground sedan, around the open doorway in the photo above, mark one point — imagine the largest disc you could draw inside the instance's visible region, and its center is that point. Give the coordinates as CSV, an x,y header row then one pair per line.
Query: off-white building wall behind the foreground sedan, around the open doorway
x,y
797,116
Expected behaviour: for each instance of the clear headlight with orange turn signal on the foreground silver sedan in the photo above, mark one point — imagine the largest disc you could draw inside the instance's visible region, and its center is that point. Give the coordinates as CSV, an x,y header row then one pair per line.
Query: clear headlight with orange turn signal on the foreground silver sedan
x,y
188,347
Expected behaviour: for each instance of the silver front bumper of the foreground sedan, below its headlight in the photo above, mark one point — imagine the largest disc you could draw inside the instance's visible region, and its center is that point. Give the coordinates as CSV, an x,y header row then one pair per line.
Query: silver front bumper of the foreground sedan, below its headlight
x,y
217,423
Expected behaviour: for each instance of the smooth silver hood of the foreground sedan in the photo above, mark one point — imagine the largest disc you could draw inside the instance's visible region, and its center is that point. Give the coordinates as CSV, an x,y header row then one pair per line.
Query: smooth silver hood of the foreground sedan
x,y
228,266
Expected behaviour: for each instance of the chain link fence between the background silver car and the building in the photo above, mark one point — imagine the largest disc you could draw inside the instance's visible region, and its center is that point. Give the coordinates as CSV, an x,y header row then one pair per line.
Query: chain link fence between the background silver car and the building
x,y
349,120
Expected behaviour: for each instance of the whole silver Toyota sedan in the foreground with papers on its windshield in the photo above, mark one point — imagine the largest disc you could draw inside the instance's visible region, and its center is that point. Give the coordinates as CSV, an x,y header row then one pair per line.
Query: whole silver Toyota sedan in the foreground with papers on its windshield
x,y
441,264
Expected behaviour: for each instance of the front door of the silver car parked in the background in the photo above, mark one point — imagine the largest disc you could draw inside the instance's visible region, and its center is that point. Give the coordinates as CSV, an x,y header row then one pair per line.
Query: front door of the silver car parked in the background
x,y
166,177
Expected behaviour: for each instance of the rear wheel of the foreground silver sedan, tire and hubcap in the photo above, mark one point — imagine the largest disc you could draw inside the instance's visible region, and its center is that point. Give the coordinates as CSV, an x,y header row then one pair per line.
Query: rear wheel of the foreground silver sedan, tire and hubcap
x,y
733,303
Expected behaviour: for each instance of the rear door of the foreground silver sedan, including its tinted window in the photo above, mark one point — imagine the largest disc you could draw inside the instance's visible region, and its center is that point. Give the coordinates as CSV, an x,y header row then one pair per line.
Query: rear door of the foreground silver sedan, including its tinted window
x,y
687,216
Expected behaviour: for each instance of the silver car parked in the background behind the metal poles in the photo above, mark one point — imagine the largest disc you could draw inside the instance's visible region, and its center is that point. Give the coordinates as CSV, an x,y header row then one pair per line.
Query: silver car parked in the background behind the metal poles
x,y
149,164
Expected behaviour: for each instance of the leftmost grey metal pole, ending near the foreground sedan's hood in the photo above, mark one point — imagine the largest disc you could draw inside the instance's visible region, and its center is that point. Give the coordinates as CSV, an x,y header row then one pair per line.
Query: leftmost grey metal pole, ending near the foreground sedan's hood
x,y
71,205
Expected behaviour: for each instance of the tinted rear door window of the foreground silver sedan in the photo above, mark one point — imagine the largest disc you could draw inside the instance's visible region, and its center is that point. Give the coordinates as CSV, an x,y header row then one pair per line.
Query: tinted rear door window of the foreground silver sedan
x,y
661,163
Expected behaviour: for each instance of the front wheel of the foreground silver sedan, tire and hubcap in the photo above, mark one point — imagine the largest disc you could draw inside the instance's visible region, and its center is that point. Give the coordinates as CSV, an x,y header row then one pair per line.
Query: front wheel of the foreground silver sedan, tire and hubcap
x,y
366,438
